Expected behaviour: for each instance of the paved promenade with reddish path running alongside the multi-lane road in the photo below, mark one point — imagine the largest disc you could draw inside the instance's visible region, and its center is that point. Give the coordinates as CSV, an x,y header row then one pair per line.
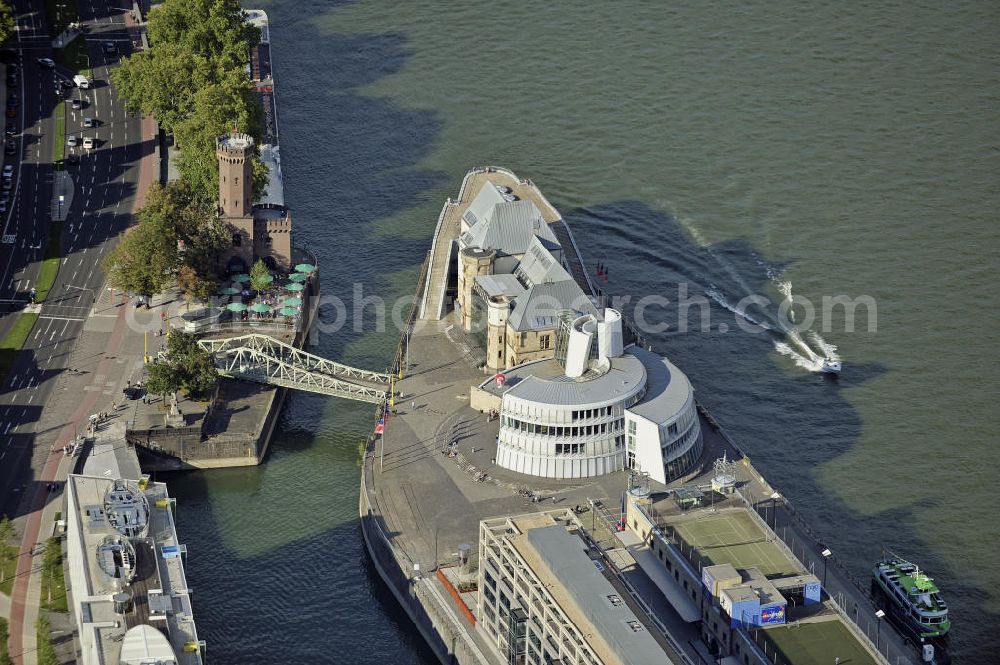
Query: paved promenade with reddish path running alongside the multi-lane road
x,y
105,357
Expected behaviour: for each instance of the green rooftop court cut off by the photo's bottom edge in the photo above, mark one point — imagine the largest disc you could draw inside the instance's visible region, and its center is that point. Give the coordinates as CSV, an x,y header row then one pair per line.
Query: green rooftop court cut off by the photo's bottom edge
x,y
818,643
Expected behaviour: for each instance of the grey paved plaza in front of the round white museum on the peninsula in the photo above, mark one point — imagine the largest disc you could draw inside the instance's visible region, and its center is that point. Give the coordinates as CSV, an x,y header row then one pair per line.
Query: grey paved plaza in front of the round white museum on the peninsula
x,y
424,502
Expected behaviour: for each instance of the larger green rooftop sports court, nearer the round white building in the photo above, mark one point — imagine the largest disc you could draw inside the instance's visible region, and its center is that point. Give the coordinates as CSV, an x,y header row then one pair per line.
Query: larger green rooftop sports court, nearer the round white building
x,y
732,537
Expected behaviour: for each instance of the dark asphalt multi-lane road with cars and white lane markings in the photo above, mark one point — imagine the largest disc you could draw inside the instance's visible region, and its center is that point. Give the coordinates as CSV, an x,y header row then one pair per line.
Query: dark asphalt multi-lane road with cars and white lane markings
x,y
104,184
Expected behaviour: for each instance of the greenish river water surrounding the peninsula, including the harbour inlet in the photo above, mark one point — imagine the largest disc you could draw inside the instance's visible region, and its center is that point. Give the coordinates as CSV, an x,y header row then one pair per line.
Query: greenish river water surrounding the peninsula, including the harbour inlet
x,y
817,149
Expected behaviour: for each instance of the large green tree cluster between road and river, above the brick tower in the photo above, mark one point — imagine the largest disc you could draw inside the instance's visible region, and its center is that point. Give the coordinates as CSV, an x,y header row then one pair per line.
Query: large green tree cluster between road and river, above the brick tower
x,y
194,80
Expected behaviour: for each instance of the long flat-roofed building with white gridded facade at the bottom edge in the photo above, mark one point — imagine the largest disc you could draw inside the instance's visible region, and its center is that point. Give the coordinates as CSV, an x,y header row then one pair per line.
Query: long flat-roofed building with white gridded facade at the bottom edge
x,y
542,599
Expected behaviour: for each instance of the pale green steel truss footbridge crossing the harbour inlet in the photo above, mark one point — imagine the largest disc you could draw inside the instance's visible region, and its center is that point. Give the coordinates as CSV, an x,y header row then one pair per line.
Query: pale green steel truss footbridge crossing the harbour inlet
x,y
264,359
